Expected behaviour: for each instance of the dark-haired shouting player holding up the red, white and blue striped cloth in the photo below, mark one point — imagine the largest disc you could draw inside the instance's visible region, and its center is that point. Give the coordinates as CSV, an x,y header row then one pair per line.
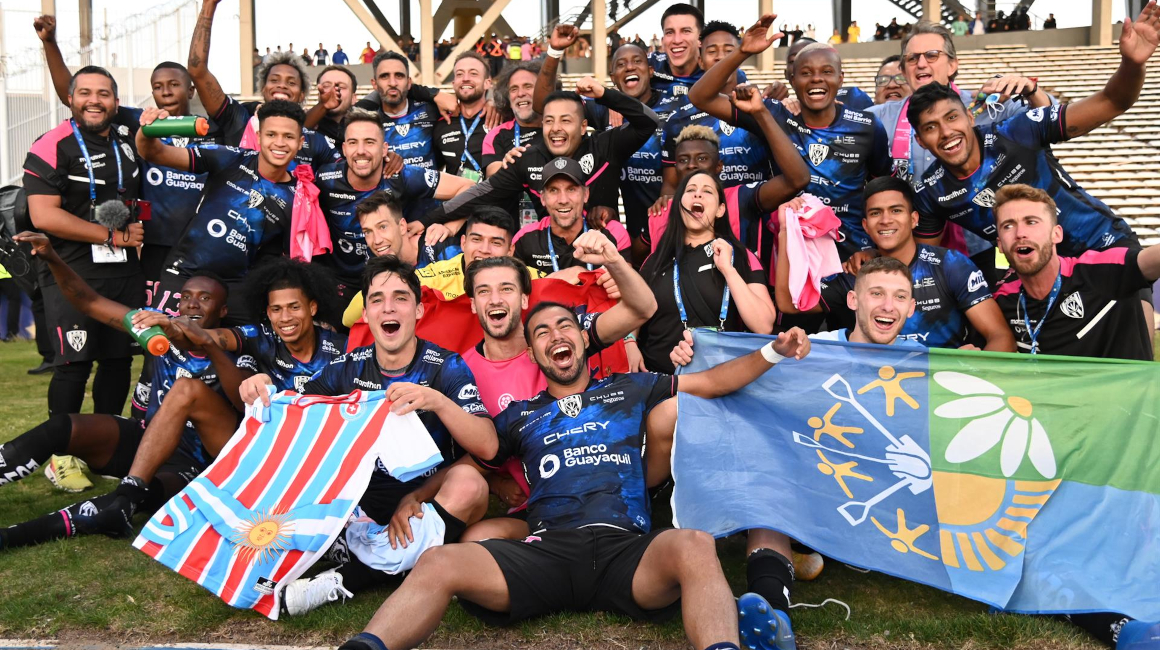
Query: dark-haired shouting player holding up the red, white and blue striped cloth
x,y
418,377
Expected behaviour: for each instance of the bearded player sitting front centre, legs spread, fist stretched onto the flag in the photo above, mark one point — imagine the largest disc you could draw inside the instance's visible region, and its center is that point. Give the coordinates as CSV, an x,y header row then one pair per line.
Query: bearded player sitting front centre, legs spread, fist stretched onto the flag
x,y
636,570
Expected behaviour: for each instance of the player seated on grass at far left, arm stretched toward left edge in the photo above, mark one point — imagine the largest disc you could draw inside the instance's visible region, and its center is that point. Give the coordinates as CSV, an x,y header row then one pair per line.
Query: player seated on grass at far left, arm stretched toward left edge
x,y
108,443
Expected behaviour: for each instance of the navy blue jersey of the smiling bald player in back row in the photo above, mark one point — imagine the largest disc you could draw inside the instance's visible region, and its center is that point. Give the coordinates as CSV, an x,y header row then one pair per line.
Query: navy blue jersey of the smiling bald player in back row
x,y
842,158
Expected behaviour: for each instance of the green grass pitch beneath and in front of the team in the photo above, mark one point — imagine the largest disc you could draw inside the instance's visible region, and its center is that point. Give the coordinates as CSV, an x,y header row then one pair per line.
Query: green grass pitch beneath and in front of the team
x,y
97,589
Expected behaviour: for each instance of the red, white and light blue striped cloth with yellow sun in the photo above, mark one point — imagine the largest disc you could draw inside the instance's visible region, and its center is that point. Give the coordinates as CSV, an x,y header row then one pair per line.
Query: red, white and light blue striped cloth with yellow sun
x,y
275,499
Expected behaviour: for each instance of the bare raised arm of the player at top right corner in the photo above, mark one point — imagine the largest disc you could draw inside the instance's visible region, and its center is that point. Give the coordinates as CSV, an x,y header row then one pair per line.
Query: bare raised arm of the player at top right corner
x,y
1137,44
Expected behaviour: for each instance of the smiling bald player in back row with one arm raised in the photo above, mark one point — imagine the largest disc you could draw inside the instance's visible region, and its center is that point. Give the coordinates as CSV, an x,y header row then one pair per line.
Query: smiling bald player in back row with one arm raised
x,y
844,147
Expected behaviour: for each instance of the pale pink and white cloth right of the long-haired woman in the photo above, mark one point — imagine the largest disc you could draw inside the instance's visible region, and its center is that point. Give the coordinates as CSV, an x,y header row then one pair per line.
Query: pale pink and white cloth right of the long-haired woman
x,y
811,240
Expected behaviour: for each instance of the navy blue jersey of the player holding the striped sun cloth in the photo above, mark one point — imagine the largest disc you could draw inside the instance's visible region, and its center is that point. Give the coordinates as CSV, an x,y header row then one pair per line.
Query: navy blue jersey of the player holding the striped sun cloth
x,y
433,367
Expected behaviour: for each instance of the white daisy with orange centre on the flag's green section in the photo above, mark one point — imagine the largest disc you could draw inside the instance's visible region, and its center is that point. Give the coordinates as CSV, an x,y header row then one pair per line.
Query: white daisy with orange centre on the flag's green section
x,y
995,417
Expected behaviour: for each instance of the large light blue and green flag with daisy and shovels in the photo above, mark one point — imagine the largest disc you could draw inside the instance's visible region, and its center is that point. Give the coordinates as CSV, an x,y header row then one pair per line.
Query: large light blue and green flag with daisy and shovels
x,y
1032,485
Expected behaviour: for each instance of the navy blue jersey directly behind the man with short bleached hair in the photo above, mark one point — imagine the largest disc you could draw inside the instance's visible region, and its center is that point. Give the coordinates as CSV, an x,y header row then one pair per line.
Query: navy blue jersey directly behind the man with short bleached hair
x,y
745,155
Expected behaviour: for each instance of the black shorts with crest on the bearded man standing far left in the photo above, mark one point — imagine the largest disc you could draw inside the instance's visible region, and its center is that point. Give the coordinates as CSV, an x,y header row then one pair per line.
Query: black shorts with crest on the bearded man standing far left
x,y
78,338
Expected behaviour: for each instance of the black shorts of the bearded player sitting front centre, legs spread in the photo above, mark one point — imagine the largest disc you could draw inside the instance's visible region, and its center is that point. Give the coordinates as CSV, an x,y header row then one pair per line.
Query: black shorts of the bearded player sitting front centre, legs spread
x,y
576,570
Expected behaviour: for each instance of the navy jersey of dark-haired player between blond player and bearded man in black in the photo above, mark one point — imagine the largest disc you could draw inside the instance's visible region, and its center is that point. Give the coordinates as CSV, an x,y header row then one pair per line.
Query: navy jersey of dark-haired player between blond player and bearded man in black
x,y
947,284
